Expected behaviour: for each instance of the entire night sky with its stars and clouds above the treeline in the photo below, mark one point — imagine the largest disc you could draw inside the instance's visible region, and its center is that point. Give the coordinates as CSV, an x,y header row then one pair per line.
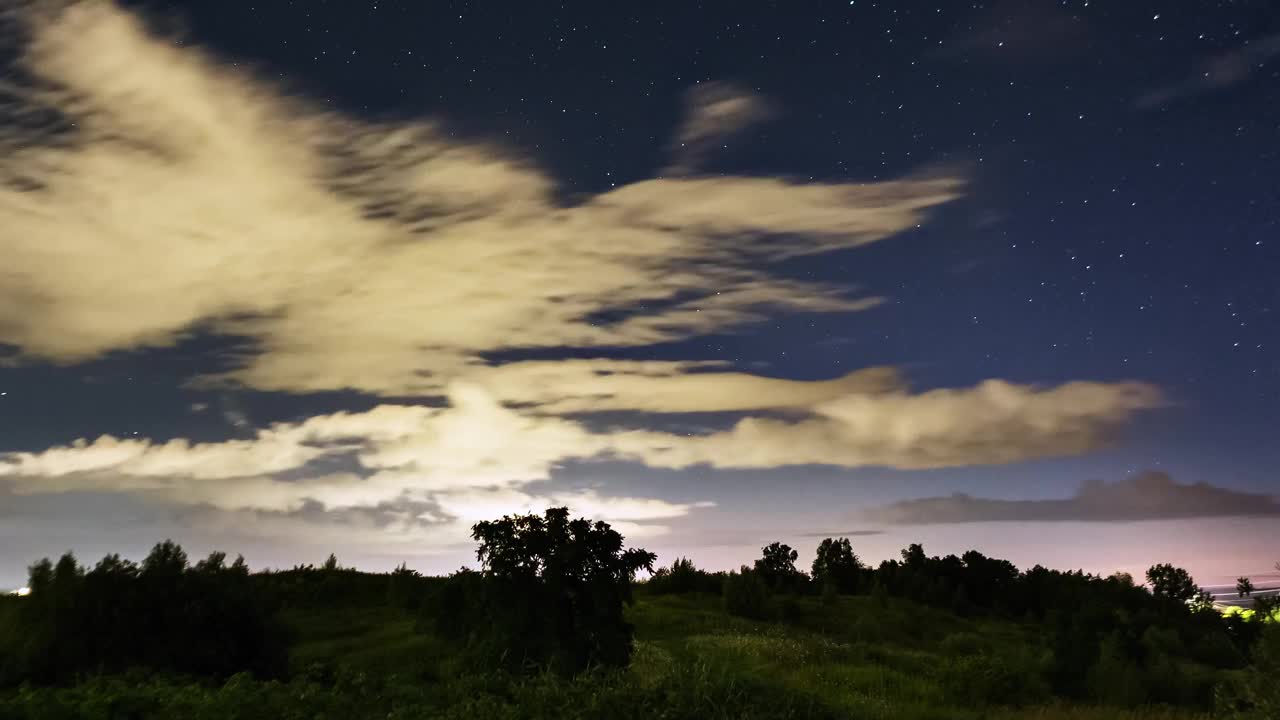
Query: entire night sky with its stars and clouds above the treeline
x,y
296,279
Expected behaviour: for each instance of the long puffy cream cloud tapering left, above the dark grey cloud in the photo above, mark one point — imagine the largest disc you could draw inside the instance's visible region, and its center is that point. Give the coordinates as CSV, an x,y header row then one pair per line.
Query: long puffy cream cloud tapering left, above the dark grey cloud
x,y
993,423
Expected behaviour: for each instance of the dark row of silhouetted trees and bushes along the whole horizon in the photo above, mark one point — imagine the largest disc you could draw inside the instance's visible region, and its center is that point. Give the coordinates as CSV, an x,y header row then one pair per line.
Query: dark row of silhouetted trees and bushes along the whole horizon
x,y
551,594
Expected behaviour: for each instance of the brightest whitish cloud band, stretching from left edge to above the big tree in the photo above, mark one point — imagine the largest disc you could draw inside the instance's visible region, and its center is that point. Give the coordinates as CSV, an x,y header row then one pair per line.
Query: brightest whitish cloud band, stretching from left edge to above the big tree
x,y
404,453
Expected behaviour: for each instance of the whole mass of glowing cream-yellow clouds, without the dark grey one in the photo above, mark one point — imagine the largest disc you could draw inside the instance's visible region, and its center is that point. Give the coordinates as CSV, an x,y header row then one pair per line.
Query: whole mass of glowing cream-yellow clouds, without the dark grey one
x,y
182,197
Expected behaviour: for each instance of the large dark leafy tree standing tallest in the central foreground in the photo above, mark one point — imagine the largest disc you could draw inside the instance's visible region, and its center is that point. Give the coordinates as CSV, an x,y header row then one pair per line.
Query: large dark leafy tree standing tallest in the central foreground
x,y
551,594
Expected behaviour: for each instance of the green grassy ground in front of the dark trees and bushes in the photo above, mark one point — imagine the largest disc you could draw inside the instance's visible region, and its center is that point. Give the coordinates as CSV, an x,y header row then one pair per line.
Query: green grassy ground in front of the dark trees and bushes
x,y
836,658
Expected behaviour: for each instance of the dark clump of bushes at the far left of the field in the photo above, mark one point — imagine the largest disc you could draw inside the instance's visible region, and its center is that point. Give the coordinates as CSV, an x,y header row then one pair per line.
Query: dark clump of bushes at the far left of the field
x,y
164,616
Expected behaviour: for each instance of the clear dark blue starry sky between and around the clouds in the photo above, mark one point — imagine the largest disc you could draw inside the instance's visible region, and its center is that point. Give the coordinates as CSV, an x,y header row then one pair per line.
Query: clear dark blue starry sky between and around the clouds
x,y
1121,218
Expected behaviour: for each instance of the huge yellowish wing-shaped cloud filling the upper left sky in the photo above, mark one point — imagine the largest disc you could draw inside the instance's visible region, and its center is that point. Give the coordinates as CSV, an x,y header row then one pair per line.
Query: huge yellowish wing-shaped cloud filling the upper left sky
x,y
386,258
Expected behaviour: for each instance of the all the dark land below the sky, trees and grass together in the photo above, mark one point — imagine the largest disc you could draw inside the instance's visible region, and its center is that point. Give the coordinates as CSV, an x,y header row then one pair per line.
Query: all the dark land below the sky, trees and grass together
x,y
556,626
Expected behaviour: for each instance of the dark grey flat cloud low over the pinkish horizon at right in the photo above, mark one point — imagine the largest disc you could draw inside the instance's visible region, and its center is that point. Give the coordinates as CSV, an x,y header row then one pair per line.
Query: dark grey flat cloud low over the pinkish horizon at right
x,y
1144,496
